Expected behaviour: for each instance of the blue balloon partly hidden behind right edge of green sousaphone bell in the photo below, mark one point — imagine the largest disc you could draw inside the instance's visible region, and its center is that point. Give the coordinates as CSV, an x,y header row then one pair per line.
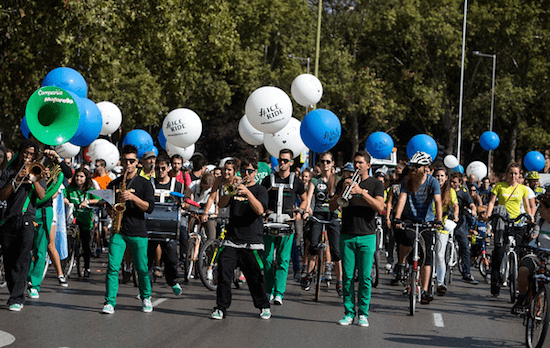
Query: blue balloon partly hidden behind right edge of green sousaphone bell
x,y
90,123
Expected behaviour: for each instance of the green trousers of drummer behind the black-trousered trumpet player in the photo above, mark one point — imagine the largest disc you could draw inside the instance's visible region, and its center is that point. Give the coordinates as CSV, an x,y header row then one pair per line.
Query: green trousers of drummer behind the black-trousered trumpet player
x,y
276,273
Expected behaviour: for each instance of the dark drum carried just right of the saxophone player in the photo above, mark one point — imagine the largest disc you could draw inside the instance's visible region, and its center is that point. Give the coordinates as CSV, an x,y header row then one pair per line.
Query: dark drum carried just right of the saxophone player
x,y
163,224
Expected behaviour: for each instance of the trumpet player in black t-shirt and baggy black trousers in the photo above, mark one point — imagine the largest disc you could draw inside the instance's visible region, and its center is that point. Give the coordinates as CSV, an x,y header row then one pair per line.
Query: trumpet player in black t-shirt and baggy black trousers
x,y
243,243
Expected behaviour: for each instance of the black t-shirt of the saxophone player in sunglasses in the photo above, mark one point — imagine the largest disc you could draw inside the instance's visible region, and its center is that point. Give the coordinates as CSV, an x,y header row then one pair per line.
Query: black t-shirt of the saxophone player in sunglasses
x,y
133,220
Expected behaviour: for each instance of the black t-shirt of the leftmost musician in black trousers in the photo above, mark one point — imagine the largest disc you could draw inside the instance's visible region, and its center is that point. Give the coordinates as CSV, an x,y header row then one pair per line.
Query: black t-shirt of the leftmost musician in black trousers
x,y
16,200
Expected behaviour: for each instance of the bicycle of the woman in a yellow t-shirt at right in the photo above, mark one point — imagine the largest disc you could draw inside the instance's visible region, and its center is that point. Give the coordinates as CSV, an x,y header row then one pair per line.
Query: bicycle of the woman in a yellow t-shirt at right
x,y
509,265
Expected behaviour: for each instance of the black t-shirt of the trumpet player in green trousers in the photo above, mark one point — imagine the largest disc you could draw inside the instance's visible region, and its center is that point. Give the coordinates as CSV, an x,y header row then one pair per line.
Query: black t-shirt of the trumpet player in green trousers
x,y
358,216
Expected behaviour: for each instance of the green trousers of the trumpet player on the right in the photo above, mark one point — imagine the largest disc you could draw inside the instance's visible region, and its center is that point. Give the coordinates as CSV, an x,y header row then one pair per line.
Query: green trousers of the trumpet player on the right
x,y
357,252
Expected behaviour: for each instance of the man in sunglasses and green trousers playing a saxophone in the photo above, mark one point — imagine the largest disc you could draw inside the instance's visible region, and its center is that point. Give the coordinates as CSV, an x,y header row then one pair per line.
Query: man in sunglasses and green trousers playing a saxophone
x,y
138,197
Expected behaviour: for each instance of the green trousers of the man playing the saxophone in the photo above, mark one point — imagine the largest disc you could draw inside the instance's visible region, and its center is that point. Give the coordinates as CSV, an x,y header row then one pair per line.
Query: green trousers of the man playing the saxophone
x,y
117,246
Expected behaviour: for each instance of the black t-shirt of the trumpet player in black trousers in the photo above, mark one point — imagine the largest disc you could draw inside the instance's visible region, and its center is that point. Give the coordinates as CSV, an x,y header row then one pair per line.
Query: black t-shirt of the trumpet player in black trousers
x,y
245,226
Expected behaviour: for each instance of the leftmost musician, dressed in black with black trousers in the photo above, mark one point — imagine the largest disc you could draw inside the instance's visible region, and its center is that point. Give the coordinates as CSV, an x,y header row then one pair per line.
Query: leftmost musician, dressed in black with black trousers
x,y
20,190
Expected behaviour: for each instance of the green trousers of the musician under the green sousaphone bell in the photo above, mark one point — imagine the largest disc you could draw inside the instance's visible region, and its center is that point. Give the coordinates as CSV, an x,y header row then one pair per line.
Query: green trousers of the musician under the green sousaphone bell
x,y
40,246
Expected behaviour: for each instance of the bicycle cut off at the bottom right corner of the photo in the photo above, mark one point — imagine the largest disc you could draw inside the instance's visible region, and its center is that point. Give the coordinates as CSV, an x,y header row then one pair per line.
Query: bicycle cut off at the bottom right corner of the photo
x,y
537,316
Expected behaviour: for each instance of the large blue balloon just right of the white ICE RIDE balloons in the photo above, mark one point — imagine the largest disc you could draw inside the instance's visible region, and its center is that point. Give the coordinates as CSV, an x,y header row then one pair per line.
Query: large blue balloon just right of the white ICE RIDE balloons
x,y
320,130
